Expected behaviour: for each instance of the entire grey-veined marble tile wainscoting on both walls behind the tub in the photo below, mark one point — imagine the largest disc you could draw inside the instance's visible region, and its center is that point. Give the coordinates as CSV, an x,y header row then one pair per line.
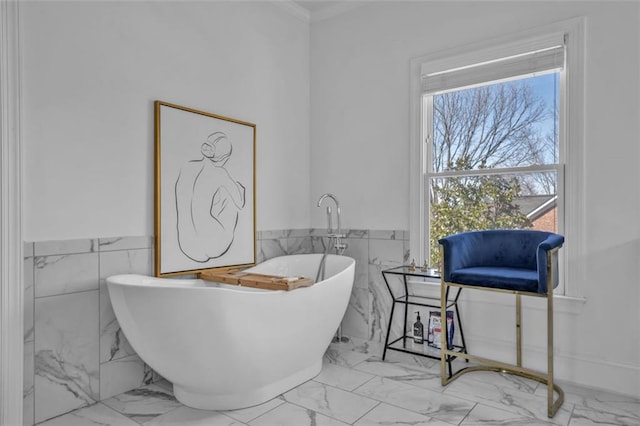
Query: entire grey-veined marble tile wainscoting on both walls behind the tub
x,y
76,354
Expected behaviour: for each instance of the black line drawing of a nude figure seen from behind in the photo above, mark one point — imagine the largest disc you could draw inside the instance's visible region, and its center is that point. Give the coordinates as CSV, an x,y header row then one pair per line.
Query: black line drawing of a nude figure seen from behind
x,y
208,201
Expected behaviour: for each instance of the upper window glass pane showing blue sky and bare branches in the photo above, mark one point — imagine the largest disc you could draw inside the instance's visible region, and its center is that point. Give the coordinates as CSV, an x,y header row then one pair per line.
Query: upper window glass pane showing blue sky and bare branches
x,y
508,124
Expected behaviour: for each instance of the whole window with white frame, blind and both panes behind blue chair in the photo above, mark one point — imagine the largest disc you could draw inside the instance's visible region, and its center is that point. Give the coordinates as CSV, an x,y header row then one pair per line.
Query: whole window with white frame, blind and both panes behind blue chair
x,y
493,140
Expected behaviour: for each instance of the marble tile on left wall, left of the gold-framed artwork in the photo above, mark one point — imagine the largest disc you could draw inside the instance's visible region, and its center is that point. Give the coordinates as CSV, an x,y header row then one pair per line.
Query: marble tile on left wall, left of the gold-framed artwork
x,y
75,353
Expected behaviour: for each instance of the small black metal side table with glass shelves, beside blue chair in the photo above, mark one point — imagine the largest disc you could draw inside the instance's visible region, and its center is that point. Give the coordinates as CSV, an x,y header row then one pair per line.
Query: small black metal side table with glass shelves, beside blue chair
x,y
405,342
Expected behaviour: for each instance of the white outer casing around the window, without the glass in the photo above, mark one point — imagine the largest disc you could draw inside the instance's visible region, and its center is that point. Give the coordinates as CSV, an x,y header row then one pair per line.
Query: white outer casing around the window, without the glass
x,y
571,110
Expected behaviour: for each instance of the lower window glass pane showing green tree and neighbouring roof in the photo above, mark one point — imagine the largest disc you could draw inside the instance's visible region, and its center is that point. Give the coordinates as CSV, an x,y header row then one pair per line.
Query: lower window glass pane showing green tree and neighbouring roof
x,y
492,201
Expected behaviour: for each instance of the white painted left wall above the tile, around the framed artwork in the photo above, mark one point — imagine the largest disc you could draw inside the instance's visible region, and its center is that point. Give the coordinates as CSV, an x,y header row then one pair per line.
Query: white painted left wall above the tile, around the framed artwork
x,y
91,71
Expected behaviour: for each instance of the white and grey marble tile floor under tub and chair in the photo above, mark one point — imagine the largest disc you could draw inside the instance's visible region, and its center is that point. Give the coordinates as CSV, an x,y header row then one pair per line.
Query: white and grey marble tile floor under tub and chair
x,y
358,388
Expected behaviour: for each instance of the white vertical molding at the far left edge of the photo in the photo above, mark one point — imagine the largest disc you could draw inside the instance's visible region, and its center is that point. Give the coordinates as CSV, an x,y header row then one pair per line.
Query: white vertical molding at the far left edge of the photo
x,y
11,247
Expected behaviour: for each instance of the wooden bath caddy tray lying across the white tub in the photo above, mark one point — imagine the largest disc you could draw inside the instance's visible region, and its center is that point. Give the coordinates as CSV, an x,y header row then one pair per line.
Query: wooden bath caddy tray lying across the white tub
x,y
250,279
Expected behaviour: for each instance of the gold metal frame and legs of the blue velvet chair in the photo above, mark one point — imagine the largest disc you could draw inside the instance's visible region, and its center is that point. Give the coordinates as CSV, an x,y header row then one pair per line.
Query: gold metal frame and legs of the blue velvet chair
x,y
493,365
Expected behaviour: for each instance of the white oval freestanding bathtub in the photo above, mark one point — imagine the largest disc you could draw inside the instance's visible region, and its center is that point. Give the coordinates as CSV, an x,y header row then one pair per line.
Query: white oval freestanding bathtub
x,y
226,347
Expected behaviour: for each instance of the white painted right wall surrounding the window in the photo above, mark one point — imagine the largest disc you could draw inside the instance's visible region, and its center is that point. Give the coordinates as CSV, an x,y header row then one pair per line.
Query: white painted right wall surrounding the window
x,y
360,151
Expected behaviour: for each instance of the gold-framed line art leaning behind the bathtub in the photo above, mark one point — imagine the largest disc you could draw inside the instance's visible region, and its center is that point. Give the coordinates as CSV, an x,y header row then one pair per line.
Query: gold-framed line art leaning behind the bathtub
x,y
204,191
